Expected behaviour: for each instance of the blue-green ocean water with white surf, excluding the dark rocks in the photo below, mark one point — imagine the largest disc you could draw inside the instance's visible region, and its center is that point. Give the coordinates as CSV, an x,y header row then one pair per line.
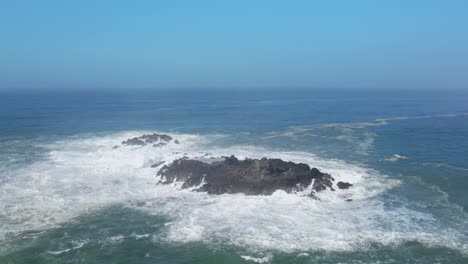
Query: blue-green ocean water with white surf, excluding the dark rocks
x,y
67,197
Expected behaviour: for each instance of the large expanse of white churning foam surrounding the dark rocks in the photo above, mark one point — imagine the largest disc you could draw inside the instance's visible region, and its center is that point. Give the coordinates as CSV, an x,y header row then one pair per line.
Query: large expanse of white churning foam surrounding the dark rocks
x,y
83,174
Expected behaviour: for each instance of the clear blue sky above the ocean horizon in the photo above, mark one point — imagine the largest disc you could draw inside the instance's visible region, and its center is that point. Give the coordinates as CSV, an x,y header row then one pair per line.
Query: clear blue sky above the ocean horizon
x,y
169,44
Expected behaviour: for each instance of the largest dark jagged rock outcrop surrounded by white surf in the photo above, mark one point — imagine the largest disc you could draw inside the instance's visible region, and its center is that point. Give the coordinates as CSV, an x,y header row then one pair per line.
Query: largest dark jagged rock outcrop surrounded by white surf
x,y
249,176
